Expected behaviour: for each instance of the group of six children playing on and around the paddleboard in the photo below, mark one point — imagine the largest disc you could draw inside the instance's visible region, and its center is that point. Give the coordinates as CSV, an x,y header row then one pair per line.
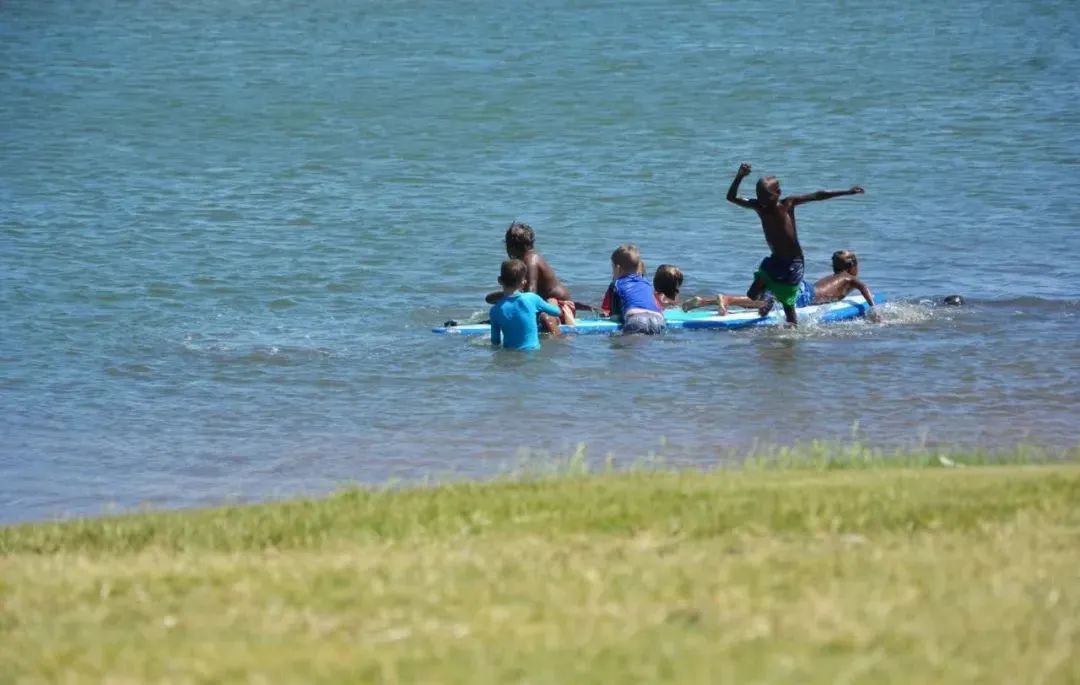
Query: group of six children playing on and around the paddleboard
x,y
533,297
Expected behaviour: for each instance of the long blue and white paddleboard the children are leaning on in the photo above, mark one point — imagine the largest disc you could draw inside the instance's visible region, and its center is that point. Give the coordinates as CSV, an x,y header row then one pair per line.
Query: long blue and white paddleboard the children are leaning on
x,y
706,318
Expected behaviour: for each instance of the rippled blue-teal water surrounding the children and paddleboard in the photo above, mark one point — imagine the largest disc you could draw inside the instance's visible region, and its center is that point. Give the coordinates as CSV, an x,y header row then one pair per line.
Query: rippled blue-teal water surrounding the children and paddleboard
x,y
226,231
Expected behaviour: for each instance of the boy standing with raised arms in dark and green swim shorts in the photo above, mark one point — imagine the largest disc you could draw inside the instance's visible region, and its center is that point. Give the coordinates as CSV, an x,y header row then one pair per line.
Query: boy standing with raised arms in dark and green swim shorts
x,y
781,273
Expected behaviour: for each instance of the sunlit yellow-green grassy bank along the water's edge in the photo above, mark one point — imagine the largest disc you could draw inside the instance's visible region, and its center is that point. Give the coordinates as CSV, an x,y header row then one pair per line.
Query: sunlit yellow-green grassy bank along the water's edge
x,y
766,574
